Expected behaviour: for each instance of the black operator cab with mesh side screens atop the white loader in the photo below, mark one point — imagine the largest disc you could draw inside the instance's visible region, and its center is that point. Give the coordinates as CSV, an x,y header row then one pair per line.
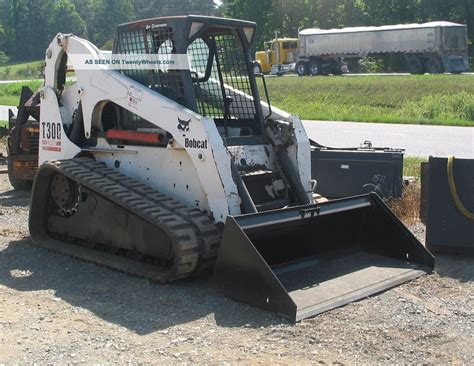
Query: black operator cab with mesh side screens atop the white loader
x,y
218,82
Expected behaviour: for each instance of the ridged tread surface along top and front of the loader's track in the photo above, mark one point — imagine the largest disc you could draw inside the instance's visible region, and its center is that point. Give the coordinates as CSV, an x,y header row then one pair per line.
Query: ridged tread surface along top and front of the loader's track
x,y
194,237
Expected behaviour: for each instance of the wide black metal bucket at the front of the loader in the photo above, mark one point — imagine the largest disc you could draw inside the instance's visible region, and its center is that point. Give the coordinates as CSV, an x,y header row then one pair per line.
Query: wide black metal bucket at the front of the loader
x,y
302,261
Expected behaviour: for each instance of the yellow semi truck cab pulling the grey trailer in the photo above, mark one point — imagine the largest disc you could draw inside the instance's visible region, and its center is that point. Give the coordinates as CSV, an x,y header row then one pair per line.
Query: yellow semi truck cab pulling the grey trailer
x,y
278,57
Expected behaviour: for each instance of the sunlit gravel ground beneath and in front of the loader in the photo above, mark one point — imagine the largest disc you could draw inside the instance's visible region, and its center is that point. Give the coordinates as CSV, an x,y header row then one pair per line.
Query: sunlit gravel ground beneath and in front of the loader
x,y
54,309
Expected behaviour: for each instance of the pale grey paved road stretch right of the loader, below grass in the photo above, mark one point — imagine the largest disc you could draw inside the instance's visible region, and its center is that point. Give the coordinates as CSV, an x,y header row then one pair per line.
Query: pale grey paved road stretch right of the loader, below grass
x,y
415,139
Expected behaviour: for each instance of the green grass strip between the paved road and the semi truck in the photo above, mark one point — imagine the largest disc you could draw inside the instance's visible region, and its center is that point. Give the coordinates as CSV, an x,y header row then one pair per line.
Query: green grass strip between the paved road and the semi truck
x,y
425,99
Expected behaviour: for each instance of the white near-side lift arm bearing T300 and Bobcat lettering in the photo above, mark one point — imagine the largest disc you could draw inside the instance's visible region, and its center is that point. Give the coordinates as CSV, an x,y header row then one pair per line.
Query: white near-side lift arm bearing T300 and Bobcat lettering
x,y
93,88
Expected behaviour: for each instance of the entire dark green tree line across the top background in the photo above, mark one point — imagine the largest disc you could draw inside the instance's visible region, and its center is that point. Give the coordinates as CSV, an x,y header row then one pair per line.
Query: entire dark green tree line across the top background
x,y
27,26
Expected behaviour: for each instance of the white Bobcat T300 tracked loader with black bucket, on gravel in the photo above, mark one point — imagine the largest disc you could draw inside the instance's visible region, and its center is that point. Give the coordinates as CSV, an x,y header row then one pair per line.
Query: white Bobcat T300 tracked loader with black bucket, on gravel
x,y
166,173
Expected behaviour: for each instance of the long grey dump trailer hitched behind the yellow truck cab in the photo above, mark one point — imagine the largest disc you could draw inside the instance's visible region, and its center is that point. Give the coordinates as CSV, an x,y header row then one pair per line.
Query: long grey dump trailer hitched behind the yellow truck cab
x,y
433,47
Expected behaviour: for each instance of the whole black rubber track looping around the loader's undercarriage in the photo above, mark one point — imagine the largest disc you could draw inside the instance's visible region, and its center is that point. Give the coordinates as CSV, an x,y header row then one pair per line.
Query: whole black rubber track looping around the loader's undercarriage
x,y
195,239
